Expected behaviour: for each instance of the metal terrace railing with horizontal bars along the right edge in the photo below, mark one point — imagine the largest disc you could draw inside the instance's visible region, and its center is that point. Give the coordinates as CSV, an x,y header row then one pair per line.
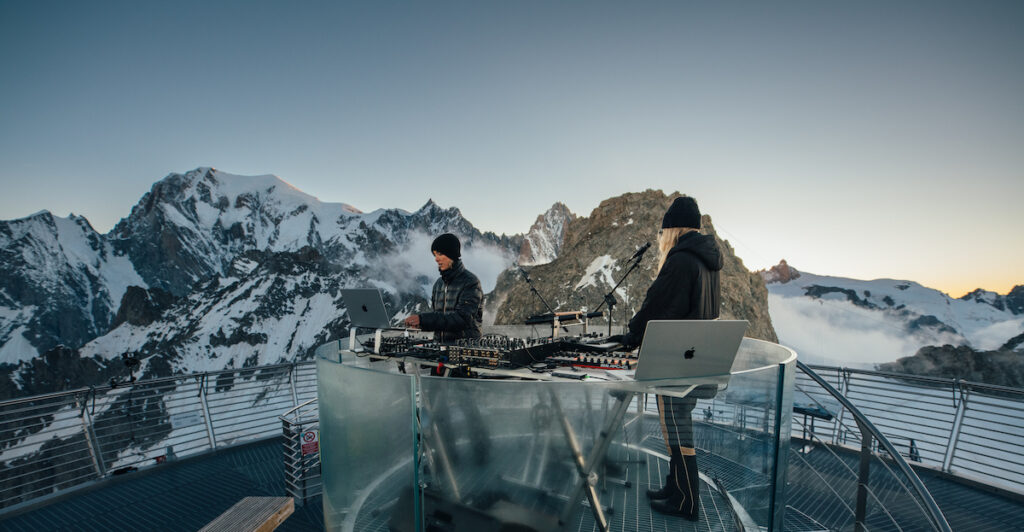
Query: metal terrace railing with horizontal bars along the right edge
x,y
967,429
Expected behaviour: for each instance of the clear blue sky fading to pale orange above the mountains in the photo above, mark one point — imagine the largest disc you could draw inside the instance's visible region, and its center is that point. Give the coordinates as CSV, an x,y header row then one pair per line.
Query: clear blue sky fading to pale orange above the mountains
x,y
861,140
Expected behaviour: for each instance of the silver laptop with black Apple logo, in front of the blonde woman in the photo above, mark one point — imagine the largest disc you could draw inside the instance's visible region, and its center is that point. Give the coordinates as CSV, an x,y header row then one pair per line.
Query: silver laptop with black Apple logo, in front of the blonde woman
x,y
682,349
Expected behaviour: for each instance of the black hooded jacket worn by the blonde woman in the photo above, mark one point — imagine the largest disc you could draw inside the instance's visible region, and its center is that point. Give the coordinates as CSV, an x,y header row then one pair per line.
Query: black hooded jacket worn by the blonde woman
x,y
687,288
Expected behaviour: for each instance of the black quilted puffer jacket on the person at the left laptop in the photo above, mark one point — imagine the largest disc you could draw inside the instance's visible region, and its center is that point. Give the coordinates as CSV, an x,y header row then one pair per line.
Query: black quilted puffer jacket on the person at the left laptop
x,y
458,304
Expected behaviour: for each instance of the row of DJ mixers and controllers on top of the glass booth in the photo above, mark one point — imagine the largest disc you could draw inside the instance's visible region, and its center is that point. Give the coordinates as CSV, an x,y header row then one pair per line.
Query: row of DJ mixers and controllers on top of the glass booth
x,y
503,352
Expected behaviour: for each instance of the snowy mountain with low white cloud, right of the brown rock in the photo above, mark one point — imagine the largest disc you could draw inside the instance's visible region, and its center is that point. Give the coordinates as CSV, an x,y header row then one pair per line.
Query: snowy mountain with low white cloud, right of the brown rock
x,y
860,324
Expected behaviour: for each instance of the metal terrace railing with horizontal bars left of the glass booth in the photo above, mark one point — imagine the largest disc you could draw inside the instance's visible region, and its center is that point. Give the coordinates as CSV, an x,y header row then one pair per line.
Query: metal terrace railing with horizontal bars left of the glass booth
x,y
55,442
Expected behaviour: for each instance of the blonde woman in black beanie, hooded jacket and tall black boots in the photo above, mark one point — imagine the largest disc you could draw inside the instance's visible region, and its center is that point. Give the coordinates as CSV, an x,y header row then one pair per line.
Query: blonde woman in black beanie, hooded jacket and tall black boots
x,y
687,288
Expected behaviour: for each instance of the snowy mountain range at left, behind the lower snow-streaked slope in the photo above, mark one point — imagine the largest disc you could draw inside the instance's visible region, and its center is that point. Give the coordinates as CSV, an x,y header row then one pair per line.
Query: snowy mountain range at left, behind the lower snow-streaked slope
x,y
66,285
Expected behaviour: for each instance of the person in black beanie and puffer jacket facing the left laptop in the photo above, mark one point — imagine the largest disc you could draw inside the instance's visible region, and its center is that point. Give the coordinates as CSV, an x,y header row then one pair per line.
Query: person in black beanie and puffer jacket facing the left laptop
x,y
457,299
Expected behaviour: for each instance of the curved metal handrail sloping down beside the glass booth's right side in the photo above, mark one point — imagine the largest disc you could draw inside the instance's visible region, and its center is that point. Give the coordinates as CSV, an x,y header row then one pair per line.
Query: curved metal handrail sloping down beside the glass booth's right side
x,y
845,473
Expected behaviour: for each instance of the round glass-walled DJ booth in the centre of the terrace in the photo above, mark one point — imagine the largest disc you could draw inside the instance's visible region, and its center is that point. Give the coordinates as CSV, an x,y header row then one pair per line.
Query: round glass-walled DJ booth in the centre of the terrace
x,y
411,441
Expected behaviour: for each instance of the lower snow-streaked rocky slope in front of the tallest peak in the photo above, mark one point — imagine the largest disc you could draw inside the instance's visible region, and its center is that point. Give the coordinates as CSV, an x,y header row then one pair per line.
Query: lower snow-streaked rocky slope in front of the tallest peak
x,y
270,307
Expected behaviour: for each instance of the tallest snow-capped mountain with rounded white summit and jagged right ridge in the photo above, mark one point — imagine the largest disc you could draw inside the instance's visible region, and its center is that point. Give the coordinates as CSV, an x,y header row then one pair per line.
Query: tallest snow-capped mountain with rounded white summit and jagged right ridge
x,y
194,226
